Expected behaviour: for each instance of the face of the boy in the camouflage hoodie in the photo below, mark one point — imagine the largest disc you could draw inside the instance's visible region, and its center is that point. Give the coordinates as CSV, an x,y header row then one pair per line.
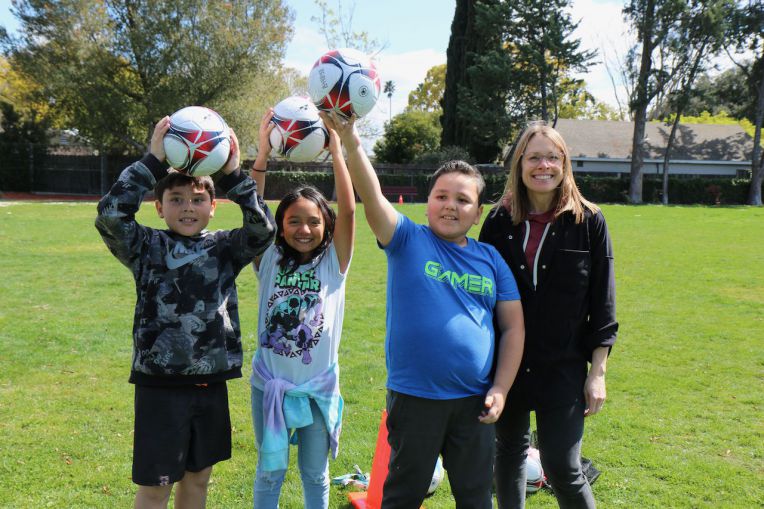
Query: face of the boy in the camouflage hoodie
x,y
186,209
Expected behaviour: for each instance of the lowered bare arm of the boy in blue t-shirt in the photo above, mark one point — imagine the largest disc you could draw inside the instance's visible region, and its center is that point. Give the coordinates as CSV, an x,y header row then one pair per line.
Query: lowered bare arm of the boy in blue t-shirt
x,y
509,315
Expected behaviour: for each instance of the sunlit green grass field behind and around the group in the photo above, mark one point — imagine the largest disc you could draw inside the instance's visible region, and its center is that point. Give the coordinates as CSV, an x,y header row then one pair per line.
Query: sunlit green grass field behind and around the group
x,y
683,425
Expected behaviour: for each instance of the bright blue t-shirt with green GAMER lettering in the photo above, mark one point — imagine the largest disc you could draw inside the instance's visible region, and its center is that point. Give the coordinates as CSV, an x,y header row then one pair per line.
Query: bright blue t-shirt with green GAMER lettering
x,y
440,303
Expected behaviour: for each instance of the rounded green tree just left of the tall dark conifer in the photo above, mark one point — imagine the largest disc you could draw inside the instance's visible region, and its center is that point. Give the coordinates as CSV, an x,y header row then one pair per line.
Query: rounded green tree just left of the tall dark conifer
x,y
407,136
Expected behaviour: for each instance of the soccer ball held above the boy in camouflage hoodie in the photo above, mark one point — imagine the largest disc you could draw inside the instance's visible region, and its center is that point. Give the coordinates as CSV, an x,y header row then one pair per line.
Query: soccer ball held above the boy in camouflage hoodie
x,y
198,141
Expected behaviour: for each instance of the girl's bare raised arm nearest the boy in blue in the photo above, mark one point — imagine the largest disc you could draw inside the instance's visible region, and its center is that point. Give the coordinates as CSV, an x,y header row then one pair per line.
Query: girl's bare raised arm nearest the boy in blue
x,y
344,228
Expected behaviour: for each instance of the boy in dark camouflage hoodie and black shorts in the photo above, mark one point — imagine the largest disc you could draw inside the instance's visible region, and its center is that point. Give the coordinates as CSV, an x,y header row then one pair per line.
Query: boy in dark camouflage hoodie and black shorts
x,y
186,335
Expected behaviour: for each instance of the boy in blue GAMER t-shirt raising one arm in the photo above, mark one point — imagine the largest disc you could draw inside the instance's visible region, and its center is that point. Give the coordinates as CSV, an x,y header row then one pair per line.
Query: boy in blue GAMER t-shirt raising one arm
x,y
443,289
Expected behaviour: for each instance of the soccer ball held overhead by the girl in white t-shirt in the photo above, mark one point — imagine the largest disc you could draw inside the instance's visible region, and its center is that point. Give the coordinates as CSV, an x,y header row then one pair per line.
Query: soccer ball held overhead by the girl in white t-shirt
x,y
299,135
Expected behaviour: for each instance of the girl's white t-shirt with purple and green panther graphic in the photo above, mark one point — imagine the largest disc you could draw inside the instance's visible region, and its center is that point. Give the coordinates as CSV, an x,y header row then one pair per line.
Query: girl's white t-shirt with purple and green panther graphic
x,y
300,317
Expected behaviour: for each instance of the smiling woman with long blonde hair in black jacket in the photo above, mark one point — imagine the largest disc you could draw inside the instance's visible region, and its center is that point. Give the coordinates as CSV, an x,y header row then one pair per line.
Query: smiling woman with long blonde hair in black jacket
x,y
558,247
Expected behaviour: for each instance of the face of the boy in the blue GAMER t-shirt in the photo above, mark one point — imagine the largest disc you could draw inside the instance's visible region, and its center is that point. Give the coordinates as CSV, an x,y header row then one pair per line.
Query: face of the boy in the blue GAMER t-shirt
x,y
453,207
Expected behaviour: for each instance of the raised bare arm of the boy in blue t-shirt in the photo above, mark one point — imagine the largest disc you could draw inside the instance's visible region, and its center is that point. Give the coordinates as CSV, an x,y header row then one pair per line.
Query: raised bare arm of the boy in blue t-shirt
x,y
380,214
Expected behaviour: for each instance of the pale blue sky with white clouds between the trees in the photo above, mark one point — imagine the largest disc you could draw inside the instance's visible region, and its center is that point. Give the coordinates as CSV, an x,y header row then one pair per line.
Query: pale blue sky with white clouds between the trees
x,y
416,34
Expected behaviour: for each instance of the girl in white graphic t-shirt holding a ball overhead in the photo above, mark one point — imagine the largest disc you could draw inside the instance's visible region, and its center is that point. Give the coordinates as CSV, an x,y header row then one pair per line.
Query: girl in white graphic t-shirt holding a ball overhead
x,y
295,383
